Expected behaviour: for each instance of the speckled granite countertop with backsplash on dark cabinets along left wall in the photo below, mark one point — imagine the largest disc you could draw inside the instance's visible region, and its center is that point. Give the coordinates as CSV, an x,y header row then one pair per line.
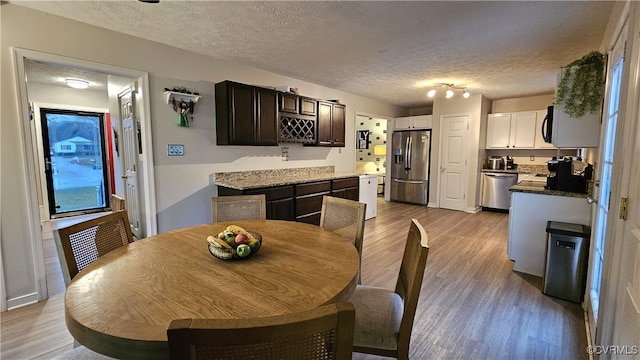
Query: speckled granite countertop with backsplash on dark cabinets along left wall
x,y
244,180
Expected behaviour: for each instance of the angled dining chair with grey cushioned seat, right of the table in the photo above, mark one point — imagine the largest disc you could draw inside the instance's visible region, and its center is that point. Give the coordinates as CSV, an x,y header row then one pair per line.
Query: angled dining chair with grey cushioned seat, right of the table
x,y
384,318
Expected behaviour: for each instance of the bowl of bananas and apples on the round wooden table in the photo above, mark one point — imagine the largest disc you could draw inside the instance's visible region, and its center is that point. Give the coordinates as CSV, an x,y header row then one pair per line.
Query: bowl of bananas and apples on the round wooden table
x,y
234,242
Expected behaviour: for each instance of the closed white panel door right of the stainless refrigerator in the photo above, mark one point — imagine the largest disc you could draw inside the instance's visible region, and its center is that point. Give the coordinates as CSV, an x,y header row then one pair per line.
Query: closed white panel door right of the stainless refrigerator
x,y
453,161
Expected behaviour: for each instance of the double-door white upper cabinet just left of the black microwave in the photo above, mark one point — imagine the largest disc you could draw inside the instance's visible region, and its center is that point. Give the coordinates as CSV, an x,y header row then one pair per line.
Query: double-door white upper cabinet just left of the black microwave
x,y
512,130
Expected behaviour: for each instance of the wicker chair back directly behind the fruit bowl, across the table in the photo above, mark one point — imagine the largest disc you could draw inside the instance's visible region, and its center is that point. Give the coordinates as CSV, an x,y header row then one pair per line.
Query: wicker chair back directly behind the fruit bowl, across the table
x,y
239,207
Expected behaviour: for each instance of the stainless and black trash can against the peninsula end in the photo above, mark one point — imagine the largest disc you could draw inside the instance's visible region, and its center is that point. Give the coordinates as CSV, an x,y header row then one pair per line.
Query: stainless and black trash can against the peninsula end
x,y
565,272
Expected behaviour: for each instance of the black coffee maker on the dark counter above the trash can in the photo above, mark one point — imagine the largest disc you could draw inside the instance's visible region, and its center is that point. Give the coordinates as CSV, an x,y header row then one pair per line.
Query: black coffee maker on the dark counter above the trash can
x,y
563,177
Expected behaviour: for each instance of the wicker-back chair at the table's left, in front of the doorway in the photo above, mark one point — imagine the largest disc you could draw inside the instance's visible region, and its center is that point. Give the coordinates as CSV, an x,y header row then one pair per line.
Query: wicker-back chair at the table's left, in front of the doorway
x,y
81,244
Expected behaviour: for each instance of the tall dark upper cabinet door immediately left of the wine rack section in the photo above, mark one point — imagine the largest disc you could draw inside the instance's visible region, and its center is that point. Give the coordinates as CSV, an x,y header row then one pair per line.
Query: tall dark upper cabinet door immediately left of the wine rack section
x,y
266,117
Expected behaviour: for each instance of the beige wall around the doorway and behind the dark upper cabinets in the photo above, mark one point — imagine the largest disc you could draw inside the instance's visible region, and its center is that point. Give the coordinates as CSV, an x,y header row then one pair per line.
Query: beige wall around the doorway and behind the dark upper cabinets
x,y
183,186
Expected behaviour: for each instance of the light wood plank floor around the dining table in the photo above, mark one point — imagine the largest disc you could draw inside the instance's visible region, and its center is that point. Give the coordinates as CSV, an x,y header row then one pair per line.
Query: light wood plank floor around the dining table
x,y
472,305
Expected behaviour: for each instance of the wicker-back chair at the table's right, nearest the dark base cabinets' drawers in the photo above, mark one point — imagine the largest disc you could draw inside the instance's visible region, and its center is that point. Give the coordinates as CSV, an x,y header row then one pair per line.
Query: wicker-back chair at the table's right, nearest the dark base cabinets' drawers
x,y
345,217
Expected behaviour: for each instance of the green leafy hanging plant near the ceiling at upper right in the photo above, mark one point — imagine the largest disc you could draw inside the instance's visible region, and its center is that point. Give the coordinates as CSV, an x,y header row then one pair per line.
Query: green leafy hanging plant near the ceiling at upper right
x,y
581,87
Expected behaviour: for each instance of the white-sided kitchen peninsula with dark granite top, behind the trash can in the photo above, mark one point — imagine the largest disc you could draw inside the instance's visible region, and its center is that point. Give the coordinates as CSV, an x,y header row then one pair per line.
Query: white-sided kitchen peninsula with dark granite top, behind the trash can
x,y
531,207
